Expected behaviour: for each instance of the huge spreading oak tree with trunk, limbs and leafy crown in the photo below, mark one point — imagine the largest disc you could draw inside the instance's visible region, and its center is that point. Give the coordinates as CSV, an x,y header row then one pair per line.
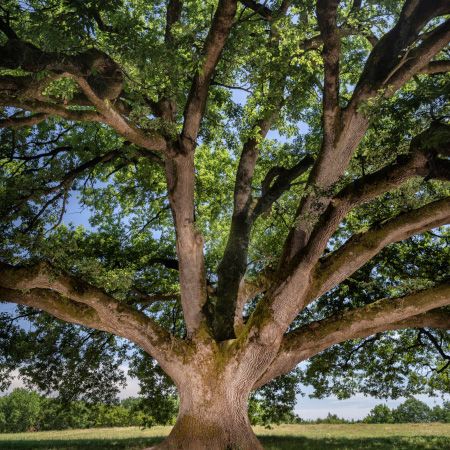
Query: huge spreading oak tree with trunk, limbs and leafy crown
x,y
265,169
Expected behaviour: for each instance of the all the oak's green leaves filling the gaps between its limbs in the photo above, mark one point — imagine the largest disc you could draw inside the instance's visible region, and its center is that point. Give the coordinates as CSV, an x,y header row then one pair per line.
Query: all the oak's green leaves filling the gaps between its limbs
x,y
125,200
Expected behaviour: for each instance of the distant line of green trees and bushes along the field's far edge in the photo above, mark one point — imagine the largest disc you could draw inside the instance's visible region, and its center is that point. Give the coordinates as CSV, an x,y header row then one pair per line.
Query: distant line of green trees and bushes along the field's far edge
x,y
24,410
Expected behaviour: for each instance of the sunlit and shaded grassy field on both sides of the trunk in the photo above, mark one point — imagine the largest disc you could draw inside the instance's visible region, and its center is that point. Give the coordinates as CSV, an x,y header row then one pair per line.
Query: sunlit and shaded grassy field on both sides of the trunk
x,y
285,437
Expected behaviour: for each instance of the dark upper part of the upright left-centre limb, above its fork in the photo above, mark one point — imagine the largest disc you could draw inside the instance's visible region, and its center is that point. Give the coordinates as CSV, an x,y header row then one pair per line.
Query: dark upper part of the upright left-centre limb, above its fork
x,y
214,44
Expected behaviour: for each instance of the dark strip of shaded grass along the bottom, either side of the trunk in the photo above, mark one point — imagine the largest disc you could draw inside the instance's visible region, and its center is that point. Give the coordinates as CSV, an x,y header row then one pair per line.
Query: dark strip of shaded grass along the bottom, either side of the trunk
x,y
269,443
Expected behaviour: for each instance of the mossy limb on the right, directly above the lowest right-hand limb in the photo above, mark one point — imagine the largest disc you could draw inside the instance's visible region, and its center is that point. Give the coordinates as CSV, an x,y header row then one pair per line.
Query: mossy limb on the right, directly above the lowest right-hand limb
x,y
288,297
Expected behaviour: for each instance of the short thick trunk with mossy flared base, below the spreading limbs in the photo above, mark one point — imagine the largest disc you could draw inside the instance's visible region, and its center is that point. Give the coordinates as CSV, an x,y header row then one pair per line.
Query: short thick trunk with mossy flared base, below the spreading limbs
x,y
212,416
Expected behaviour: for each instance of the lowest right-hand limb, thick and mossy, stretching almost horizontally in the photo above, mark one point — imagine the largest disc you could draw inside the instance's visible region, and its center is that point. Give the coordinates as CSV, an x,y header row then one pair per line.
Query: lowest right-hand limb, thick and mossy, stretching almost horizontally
x,y
409,311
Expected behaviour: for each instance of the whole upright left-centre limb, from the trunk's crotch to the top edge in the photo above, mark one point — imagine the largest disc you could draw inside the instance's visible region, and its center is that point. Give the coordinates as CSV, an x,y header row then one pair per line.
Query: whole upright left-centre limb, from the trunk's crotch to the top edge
x,y
180,169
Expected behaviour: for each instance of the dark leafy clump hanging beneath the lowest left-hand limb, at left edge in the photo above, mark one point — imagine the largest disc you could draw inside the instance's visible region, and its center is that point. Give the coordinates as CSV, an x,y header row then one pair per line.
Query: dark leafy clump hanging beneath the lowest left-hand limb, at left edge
x,y
73,362
